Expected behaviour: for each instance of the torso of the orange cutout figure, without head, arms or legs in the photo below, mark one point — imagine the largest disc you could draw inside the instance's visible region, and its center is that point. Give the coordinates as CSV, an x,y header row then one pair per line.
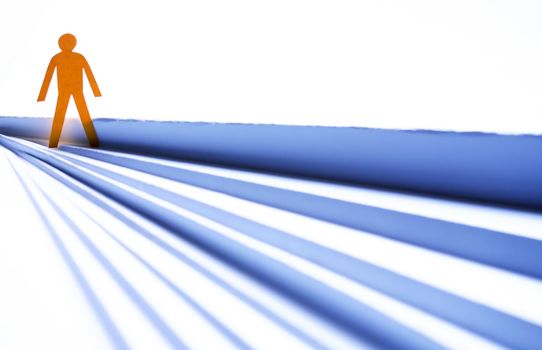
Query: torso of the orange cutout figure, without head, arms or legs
x,y
69,67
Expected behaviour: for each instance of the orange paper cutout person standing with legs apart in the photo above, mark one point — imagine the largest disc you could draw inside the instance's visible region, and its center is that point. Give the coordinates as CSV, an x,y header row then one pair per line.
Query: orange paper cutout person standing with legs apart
x,y
69,70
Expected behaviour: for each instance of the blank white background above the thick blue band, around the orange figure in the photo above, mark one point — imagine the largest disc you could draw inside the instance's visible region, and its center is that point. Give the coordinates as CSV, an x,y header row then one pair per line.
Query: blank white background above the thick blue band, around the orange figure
x,y
461,65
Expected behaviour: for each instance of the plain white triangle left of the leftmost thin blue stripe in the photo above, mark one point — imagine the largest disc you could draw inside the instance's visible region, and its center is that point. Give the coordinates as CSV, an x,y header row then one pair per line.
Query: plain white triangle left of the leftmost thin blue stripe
x,y
41,303
